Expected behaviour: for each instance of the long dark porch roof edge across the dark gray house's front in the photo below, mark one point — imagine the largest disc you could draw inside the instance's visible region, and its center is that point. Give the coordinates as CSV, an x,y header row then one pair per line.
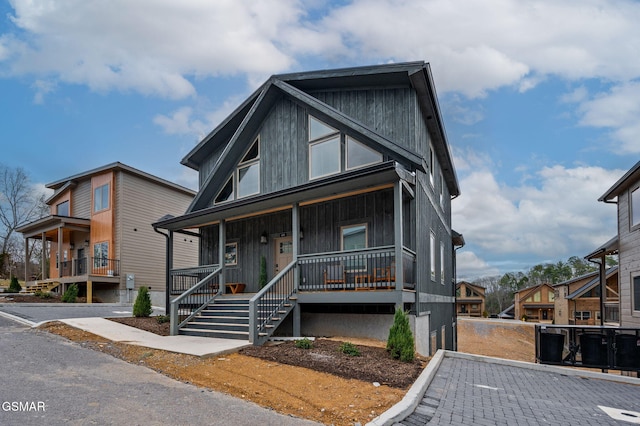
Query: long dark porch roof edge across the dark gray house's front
x,y
323,188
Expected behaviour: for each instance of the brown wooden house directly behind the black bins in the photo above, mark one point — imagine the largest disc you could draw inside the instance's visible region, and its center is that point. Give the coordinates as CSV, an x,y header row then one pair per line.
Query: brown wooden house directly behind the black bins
x,y
577,301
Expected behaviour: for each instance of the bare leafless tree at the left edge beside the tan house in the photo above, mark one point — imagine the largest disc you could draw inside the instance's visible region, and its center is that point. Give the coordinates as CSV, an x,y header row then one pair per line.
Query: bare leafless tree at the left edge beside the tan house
x,y
19,204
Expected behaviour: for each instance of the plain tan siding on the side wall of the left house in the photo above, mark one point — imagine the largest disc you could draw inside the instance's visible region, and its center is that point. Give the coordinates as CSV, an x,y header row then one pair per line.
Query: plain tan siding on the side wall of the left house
x,y
141,250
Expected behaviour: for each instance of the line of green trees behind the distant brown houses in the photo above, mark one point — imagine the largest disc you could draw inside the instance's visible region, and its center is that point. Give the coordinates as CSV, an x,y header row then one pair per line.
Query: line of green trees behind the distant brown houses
x,y
499,293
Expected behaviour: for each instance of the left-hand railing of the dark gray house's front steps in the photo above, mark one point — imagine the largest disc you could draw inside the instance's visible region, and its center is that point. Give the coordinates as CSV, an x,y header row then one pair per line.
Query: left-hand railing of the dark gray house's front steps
x,y
194,300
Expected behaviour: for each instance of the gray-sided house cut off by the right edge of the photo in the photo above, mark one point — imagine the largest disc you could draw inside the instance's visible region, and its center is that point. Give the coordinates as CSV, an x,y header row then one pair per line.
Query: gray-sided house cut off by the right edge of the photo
x,y
625,193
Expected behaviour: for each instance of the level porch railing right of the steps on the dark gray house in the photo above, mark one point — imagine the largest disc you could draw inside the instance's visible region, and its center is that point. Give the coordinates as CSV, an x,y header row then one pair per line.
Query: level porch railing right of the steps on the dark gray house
x,y
367,269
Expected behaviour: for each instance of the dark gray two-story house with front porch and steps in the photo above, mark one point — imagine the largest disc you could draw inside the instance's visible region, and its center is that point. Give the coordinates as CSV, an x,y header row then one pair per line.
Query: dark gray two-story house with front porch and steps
x,y
324,204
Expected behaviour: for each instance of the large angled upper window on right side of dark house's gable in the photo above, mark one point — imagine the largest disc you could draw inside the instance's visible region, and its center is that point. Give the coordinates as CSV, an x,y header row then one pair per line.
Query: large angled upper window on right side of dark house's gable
x,y
331,152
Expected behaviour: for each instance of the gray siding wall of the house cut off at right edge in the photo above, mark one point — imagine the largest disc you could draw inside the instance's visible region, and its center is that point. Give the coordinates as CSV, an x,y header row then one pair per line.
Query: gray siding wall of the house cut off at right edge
x,y
629,260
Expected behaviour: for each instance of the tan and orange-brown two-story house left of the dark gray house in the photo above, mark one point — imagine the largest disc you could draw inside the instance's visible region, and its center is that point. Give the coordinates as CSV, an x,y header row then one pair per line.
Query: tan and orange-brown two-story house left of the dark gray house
x,y
99,235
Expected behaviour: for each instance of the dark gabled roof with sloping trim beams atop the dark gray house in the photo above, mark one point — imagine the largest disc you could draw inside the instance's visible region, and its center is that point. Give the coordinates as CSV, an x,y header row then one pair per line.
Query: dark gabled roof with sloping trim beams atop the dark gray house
x,y
244,122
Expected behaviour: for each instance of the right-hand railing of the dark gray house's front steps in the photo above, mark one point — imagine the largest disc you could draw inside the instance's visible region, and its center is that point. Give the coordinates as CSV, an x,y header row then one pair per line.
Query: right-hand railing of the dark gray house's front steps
x,y
271,304
